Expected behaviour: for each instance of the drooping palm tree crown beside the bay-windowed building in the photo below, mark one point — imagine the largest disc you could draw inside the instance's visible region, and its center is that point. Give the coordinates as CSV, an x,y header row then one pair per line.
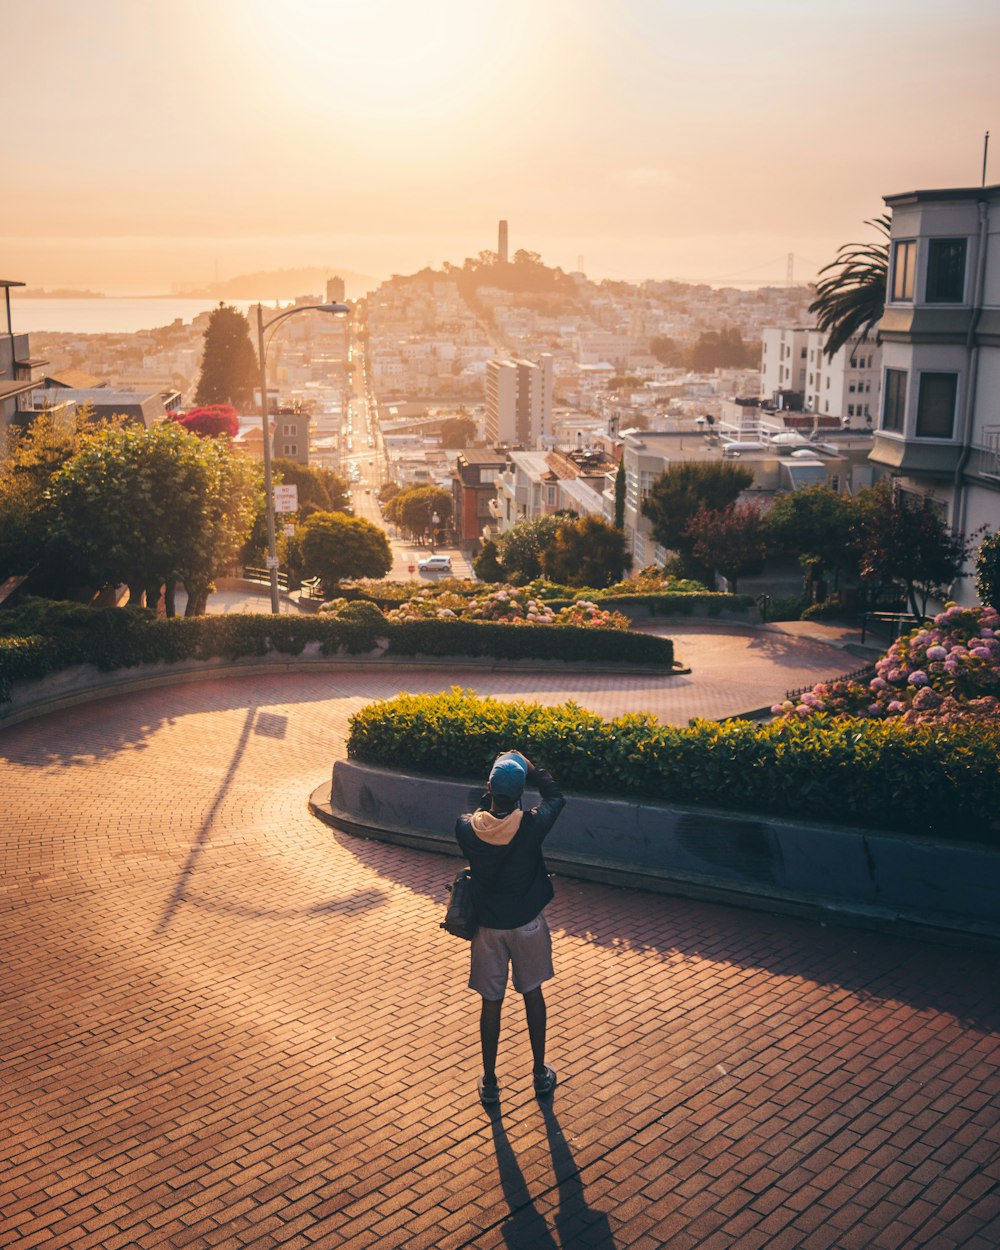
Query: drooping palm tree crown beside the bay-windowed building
x,y
852,298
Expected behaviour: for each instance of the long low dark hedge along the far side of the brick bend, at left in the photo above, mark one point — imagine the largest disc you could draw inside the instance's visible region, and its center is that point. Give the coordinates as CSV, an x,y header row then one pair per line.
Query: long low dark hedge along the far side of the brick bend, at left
x,y
118,638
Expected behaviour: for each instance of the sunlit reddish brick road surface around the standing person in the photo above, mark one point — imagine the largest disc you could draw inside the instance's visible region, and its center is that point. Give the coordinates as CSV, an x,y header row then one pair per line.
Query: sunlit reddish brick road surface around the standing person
x,y
224,1026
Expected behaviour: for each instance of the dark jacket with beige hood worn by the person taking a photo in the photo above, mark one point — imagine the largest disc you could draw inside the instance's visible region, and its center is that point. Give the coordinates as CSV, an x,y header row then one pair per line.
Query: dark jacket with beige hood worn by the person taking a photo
x,y
511,883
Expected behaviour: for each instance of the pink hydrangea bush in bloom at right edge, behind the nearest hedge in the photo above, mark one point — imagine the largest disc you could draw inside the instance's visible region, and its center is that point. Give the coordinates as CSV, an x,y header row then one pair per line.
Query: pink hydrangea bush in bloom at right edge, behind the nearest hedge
x,y
944,672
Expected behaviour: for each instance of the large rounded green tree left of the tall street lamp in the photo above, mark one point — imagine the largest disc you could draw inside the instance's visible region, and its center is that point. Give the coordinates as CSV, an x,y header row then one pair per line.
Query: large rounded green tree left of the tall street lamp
x,y
148,508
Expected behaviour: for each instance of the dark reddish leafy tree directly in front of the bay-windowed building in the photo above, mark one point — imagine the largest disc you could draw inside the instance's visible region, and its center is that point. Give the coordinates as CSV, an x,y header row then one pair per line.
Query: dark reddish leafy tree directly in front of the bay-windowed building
x,y
904,542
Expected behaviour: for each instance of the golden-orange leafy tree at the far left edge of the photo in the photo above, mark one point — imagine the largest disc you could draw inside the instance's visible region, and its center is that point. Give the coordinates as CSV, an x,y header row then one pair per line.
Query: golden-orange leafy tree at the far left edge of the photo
x,y
27,544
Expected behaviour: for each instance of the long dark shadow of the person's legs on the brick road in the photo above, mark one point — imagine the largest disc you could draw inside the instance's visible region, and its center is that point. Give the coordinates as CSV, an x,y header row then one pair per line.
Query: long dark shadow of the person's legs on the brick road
x,y
527,1228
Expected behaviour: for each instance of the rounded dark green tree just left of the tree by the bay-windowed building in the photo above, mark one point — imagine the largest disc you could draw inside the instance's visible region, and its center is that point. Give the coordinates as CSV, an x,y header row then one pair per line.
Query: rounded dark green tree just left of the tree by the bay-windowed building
x,y
814,524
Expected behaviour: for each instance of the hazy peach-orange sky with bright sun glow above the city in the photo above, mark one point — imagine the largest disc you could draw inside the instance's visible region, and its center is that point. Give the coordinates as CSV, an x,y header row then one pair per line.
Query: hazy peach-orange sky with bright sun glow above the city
x,y
149,143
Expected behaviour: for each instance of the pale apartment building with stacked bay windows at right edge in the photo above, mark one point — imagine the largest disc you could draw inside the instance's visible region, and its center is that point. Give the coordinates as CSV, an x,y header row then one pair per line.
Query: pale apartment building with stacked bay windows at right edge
x,y
939,424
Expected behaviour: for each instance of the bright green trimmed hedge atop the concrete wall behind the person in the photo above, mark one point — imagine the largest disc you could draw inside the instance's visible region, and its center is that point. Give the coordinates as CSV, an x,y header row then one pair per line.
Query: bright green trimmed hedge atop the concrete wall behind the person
x,y
877,774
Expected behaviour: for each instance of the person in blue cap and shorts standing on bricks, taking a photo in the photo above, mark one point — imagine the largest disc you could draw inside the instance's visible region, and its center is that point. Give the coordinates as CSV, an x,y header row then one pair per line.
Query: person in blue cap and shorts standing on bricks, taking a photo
x,y
511,891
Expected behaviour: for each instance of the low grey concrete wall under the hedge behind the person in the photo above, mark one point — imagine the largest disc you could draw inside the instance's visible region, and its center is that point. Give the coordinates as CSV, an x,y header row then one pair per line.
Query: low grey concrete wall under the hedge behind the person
x,y
864,878
